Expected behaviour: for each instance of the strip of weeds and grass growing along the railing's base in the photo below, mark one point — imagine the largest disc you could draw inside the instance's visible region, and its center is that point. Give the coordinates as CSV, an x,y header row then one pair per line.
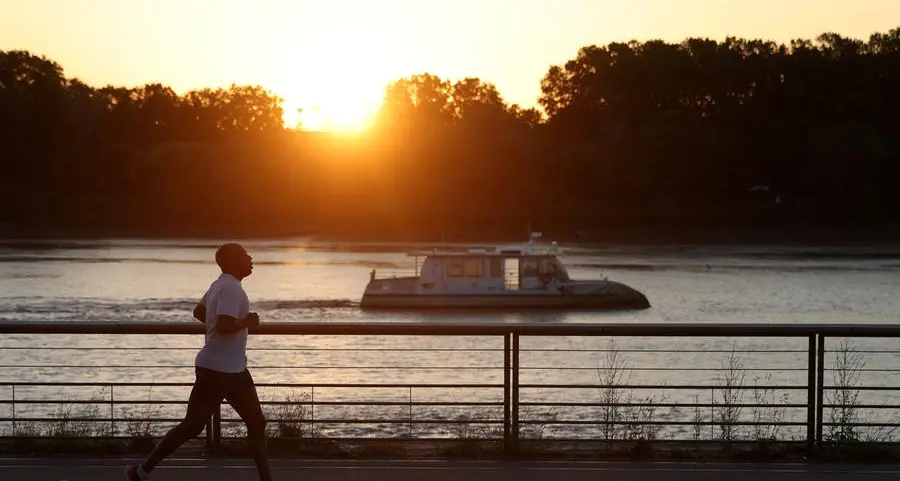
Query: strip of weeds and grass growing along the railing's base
x,y
628,424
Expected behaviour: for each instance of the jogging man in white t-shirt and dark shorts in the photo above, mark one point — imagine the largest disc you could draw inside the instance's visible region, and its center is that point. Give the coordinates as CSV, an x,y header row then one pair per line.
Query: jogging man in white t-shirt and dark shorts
x,y
221,366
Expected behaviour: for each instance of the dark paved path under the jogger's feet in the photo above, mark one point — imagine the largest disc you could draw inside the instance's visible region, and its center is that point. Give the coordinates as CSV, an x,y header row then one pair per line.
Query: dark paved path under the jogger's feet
x,y
294,470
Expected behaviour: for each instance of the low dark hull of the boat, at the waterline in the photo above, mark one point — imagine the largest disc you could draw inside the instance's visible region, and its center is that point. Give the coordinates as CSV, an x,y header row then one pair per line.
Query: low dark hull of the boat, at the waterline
x,y
503,301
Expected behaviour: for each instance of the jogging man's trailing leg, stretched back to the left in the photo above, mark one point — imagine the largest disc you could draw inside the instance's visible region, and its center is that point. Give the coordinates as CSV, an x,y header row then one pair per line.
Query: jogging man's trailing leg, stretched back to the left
x,y
205,398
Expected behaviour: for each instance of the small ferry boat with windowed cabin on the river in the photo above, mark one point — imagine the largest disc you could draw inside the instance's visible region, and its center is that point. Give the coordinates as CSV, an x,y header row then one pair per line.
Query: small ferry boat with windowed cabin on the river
x,y
509,278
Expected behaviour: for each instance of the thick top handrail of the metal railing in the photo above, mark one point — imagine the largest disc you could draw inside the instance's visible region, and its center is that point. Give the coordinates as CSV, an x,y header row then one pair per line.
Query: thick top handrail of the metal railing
x,y
468,329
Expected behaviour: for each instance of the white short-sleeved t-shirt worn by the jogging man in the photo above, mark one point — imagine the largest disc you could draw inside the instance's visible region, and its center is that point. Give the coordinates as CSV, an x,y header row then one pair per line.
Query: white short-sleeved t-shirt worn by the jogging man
x,y
224,352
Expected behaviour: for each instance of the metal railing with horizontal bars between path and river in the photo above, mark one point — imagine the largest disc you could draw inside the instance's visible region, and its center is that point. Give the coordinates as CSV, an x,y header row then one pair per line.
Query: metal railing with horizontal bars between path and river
x,y
513,383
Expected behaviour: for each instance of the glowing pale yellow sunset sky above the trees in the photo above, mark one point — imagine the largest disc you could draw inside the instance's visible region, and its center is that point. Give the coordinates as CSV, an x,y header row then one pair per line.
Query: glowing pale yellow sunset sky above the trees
x,y
334,58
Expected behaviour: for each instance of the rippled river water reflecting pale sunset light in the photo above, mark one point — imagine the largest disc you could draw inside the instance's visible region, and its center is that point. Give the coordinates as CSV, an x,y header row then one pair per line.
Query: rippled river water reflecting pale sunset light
x,y
306,280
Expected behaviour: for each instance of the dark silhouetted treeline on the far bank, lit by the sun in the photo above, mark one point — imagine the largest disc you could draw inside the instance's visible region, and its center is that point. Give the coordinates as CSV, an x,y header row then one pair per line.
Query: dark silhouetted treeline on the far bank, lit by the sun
x,y
648,135
